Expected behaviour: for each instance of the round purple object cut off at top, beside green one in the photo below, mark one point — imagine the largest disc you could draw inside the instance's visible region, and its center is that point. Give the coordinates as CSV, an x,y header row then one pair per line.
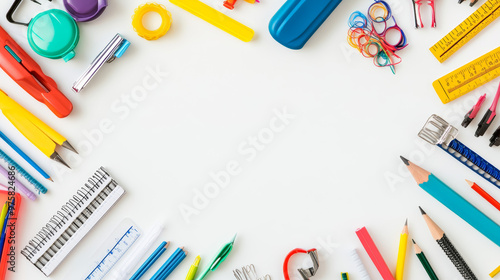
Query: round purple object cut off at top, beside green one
x,y
85,10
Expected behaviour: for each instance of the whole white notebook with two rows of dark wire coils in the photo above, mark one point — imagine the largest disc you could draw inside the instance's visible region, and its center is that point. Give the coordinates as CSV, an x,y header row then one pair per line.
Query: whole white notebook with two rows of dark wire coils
x,y
76,218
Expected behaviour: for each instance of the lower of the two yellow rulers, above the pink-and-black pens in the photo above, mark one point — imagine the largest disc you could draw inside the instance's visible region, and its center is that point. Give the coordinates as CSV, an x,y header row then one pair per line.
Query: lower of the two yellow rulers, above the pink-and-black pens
x,y
468,77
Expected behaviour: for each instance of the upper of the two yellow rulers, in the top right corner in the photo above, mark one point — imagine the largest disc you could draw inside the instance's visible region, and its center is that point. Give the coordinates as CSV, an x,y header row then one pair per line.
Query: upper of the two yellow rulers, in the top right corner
x,y
466,30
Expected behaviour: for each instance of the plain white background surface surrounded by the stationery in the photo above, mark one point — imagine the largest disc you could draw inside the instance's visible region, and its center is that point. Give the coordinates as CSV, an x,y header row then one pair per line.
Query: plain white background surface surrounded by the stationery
x,y
319,179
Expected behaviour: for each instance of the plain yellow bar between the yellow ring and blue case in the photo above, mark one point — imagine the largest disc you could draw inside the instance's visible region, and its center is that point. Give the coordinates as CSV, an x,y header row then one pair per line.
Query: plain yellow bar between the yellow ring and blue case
x,y
216,18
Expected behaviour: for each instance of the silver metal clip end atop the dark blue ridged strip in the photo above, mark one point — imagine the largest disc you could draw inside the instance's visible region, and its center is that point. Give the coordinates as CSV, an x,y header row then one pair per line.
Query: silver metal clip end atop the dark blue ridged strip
x,y
437,131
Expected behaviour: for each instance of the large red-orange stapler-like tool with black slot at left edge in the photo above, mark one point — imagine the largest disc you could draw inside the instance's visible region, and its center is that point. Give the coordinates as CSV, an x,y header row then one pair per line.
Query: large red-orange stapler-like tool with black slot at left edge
x,y
27,73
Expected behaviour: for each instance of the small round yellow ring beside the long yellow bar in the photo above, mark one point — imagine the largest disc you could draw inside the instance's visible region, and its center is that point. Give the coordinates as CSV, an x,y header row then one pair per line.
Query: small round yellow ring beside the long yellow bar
x,y
166,20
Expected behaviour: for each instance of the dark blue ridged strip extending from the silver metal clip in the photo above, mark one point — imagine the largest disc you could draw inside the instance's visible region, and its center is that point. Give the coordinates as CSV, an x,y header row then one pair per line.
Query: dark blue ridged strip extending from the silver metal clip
x,y
474,161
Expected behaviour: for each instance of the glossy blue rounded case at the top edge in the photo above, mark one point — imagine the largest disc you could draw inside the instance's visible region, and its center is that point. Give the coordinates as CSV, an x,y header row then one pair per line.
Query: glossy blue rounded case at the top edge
x,y
297,20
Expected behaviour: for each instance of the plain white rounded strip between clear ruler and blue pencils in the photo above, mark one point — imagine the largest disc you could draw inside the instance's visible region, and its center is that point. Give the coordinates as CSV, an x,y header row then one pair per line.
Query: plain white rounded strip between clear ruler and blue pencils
x,y
136,254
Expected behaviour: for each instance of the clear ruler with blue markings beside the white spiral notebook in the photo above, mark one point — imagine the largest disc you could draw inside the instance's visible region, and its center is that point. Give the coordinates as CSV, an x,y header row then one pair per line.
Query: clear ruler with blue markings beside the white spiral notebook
x,y
111,251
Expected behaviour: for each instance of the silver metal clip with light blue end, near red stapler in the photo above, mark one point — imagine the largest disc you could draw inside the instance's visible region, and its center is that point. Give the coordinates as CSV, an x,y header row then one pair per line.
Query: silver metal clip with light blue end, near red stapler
x,y
115,49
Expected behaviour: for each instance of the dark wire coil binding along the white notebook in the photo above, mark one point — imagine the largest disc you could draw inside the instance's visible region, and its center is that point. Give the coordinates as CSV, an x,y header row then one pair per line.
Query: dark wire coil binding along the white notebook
x,y
94,190
